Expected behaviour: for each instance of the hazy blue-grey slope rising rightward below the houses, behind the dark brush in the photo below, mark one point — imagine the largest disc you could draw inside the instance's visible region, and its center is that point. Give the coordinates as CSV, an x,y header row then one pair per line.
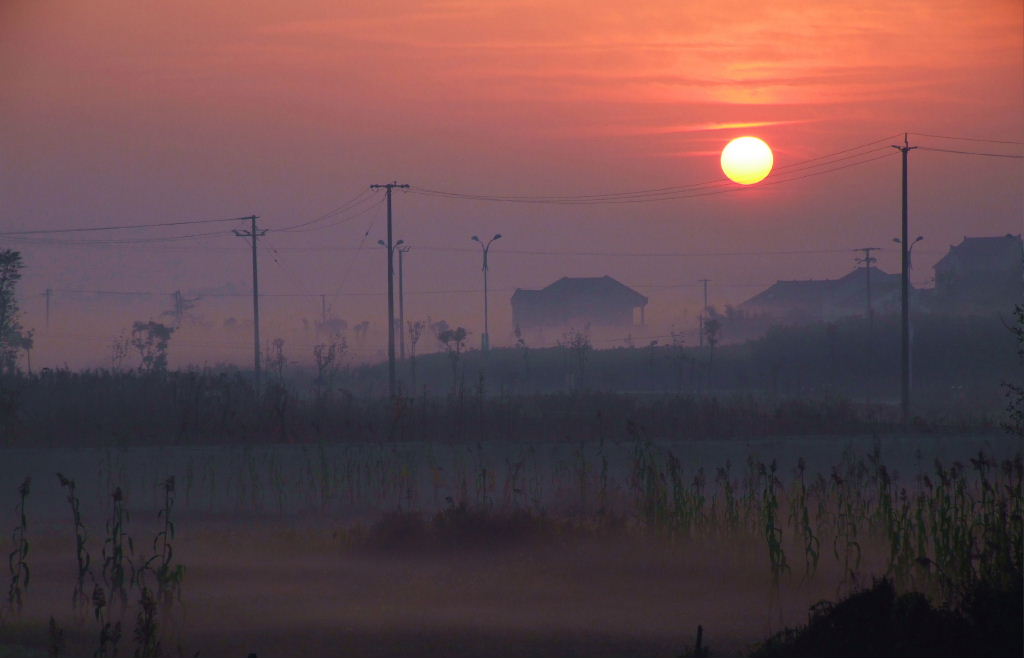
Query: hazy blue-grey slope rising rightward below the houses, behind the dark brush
x,y
959,363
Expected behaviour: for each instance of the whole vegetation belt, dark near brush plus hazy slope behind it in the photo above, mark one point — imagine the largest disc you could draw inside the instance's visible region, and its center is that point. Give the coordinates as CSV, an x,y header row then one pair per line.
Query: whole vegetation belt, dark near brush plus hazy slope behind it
x,y
828,379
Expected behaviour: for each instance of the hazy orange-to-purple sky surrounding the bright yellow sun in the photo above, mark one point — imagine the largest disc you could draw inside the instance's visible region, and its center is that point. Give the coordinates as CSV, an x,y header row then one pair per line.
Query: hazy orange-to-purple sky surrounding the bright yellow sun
x,y
121,112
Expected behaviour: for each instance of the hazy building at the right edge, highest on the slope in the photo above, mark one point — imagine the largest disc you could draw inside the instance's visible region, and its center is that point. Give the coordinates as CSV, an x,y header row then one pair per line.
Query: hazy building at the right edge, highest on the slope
x,y
980,273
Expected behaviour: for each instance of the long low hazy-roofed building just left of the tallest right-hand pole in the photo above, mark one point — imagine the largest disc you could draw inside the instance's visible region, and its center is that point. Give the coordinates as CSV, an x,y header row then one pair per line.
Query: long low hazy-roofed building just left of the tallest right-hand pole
x,y
826,300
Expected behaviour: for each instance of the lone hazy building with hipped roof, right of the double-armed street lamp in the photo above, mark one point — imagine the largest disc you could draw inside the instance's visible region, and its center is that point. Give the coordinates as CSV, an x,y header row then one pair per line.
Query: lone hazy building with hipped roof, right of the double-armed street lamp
x,y
600,301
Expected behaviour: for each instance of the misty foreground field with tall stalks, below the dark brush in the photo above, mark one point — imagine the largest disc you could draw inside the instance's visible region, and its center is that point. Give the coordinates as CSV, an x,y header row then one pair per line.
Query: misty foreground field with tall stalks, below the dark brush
x,y
602,549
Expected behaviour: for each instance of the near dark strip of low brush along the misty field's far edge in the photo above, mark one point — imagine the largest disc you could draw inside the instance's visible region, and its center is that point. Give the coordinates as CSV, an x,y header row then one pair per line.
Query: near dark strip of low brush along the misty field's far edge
x,y
65,409
